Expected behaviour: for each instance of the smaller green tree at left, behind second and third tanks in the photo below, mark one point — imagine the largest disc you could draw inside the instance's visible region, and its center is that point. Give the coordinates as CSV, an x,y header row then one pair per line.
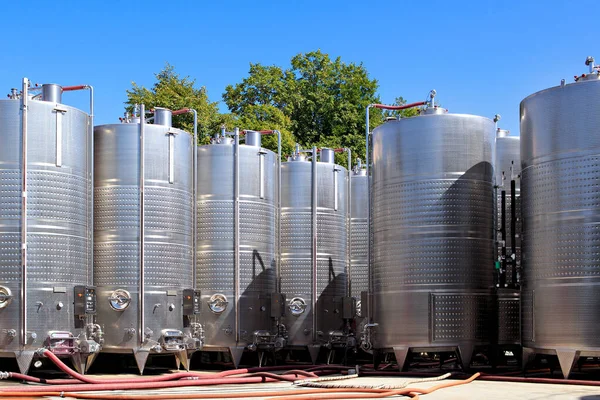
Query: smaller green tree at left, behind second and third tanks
x,y
174,92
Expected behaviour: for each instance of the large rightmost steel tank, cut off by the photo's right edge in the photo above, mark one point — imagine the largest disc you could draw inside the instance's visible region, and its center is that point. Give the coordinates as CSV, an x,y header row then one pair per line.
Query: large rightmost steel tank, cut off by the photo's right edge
x,y
560,149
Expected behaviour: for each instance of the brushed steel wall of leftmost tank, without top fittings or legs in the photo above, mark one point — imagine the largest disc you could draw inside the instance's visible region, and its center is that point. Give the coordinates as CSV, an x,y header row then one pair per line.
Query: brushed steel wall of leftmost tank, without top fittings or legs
x,y
58,219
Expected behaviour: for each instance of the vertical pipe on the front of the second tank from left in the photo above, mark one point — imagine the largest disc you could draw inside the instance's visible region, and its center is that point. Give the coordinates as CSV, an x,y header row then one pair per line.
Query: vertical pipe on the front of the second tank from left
x,y
142,288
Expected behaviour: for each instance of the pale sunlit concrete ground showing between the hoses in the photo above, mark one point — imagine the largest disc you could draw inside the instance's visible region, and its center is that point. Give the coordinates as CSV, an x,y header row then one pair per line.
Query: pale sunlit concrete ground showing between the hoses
x,y
484,390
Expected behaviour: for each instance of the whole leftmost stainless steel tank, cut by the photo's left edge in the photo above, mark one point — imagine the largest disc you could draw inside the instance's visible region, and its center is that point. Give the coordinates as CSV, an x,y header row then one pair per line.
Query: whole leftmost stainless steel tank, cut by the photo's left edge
x,y
45,227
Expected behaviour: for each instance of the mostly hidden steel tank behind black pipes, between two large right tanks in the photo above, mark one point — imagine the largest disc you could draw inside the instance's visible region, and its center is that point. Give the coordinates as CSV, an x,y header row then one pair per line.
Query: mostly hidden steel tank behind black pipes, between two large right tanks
x,y
508,168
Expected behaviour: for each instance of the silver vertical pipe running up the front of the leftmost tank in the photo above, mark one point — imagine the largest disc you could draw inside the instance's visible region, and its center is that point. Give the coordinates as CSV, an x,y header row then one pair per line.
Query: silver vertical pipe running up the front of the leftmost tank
x,y
24,106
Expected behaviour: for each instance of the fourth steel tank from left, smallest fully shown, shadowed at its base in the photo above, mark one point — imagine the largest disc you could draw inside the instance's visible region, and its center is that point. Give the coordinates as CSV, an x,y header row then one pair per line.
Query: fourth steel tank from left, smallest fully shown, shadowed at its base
x,y
314,245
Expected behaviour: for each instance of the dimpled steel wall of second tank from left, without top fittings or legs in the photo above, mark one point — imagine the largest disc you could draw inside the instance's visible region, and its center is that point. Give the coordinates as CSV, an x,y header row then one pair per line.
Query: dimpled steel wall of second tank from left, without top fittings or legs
x,y
168,228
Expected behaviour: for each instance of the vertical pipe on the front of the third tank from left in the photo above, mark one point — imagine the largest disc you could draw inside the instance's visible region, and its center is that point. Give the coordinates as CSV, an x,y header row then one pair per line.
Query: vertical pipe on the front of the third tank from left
x,y
236,230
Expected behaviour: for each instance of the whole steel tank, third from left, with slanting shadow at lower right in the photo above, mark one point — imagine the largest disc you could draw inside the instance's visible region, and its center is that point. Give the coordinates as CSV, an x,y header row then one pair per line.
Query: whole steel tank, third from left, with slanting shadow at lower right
x,y
229,325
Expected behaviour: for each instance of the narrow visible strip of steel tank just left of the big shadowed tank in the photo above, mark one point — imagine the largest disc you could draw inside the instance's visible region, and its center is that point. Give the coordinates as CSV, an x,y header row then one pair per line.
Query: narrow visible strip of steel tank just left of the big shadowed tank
x,y
359,217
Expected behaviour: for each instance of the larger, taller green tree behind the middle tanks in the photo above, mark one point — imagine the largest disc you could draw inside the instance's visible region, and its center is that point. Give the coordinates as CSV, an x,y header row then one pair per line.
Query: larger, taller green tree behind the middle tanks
x,y
325,99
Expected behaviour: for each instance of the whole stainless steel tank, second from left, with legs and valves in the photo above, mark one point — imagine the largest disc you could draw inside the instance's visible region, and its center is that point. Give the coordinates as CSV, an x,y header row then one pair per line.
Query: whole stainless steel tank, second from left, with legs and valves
x,y
144,230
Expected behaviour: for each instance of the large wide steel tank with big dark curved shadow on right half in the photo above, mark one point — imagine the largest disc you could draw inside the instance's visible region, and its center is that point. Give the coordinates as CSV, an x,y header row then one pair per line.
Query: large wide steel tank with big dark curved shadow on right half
x,y
433,231
